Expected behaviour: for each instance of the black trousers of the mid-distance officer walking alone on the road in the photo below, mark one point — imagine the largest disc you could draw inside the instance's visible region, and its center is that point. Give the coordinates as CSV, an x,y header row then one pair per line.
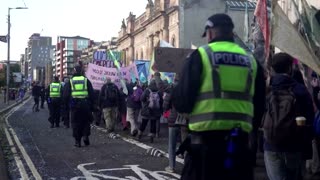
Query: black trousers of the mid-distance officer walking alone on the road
x,y
80,121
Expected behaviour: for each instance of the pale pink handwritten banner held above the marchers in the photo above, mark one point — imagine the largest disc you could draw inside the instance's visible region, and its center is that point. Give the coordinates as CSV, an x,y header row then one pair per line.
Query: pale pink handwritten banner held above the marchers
x,y
98,74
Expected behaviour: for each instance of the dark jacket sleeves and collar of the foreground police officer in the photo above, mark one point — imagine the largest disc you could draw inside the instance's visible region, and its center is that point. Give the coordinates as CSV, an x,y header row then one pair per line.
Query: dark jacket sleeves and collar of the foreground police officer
x,y
185,93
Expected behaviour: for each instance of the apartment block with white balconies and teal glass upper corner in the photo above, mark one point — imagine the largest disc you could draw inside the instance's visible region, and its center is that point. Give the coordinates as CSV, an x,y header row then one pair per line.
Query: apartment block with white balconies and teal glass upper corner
x,y
66,53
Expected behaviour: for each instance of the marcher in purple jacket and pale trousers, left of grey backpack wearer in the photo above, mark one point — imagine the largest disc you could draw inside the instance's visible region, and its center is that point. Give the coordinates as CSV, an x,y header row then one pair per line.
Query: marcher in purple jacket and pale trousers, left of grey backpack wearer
x,y
134,106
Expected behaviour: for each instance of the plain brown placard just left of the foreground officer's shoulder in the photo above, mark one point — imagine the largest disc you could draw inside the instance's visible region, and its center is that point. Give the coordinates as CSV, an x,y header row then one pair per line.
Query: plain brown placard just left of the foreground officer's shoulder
x,y
170,59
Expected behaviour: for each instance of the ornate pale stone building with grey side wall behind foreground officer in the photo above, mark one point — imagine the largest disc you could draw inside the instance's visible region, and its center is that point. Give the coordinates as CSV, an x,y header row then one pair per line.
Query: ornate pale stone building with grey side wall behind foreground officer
x,y
179,22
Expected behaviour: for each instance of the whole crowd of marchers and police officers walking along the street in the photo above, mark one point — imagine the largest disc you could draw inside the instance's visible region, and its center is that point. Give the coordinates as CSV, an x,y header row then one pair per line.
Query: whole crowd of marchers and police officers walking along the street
x,y
217,105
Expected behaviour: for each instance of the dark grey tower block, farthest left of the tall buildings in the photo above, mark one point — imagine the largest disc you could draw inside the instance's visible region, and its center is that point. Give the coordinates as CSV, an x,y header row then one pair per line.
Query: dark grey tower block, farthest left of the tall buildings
x,y
38,53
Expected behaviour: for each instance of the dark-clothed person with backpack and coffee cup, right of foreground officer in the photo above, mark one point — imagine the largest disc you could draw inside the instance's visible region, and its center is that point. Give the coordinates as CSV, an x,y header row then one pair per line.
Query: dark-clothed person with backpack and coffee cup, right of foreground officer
x,y
287,143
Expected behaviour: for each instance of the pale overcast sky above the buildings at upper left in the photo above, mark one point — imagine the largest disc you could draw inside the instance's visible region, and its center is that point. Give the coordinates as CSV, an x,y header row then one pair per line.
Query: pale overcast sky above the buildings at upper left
x,y
95,19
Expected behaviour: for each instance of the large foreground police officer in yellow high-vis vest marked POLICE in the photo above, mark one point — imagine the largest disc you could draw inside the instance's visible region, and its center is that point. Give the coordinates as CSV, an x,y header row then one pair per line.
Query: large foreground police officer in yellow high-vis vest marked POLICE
x,y
222,91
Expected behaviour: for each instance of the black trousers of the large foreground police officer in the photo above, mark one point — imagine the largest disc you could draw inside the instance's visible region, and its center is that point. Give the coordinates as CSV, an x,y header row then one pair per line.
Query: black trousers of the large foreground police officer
x,y
206,160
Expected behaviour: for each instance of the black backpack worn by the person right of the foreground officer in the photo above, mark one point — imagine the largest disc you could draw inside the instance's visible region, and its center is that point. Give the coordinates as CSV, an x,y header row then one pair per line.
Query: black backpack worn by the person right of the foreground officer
x,y
279,123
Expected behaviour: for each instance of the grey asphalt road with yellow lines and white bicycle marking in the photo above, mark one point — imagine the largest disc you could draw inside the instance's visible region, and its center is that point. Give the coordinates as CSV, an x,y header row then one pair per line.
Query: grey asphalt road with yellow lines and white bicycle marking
x,y
44,153
